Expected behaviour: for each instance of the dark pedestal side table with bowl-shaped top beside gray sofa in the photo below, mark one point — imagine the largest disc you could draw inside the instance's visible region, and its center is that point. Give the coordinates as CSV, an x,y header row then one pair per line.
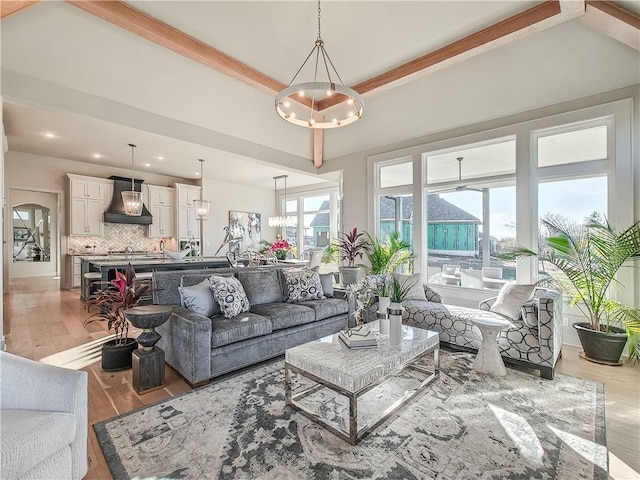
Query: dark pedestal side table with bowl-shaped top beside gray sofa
x,y
148,361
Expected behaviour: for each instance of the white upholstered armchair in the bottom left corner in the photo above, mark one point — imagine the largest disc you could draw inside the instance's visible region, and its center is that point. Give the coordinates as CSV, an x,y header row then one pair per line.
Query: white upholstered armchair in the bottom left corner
x,y
43,420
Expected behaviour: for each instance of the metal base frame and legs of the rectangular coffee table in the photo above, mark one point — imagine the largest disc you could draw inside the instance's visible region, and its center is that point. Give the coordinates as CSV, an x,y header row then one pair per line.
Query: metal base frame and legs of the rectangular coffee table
x,y
354,434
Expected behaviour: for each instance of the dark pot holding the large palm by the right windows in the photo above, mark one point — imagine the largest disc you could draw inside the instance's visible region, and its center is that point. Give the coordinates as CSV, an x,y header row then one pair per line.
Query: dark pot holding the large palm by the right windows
x,y
601,347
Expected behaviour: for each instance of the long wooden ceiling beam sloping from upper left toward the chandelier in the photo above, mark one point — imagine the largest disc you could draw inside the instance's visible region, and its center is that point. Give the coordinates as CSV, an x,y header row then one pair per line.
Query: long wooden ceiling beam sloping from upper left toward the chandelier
x,y
145,26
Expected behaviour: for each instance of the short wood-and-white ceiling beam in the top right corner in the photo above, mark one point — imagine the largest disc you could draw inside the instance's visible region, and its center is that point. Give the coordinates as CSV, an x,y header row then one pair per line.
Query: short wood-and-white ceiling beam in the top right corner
x,y
613,21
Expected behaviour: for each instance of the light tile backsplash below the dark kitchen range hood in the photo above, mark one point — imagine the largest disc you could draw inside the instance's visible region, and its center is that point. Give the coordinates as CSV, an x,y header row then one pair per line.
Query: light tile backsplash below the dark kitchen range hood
x,y
118,236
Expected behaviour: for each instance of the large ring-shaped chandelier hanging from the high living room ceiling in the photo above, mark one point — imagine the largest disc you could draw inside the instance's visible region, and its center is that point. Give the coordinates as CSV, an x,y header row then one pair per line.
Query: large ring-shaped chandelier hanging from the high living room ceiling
x,y
319,104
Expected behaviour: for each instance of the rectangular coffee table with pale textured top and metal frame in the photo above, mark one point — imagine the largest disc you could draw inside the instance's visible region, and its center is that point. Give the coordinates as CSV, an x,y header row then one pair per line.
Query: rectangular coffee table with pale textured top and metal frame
x,y
329,363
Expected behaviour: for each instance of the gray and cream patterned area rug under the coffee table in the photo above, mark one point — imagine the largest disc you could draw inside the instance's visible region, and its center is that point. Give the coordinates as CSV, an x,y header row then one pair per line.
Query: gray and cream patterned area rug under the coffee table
x,y
464,426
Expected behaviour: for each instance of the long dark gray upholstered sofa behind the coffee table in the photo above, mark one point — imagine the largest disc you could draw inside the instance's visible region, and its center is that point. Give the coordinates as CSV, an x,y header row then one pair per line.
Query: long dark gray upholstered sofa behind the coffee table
x,y
201,348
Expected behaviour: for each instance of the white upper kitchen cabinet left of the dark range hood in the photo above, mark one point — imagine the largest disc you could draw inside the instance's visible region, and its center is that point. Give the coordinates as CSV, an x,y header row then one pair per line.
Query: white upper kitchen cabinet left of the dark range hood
x,y
89,197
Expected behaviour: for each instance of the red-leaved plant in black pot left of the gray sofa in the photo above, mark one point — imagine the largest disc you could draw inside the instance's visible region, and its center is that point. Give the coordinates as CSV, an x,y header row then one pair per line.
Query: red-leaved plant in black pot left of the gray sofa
x,y
112,300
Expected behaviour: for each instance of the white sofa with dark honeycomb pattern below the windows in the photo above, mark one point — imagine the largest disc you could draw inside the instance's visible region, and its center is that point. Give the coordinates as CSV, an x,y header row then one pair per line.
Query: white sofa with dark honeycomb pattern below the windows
x,y
534,340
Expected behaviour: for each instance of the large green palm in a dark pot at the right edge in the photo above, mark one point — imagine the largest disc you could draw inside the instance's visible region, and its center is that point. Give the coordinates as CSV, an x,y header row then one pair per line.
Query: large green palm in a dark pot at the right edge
x,y
587,258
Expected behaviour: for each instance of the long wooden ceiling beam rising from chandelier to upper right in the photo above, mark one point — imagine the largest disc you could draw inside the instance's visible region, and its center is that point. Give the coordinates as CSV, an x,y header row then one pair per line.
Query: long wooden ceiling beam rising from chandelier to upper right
x,y
520,23
